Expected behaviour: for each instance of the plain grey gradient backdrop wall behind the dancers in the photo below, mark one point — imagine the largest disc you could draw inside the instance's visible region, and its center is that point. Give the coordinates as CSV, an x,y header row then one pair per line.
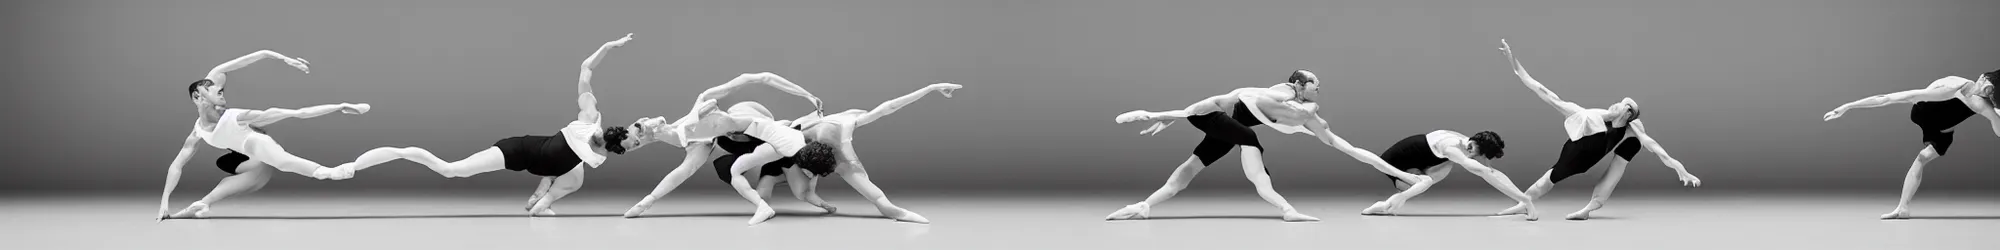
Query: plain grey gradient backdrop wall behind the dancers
x,y
1733,89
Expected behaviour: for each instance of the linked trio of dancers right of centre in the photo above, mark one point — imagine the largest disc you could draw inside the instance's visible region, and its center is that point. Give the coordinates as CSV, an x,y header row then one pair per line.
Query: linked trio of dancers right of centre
x,y
1417,161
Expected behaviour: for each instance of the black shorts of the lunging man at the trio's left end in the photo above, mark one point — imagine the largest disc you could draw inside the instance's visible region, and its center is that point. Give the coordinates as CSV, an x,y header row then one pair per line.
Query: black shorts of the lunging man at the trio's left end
x,y
1225,133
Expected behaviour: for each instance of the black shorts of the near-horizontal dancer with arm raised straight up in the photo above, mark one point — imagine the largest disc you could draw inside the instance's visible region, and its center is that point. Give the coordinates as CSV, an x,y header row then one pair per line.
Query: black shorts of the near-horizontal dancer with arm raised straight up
x,y
539,155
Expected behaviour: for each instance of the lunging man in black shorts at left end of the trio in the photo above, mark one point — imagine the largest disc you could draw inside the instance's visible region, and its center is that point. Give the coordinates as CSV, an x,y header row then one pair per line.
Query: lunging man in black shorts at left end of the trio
x,y
1287,107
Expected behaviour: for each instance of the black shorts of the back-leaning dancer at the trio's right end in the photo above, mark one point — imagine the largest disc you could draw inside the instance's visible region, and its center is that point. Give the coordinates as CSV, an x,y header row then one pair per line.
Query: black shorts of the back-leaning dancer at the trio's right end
x,y
1585,153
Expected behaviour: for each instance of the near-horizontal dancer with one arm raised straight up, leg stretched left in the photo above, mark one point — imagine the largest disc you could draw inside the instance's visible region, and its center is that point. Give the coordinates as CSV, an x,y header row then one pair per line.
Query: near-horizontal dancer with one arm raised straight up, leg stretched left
x,y
555,159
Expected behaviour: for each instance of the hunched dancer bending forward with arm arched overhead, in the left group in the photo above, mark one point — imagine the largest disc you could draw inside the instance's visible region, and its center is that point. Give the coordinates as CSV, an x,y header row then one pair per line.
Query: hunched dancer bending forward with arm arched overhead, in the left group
x,y
697,131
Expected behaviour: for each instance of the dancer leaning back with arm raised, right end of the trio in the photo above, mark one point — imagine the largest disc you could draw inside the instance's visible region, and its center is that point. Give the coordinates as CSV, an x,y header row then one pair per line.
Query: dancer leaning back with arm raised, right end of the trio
x,y
1593,133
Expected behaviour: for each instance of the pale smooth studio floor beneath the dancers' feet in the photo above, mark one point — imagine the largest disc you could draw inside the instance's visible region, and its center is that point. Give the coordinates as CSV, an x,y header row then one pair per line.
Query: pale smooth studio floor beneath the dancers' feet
x,y
1199,219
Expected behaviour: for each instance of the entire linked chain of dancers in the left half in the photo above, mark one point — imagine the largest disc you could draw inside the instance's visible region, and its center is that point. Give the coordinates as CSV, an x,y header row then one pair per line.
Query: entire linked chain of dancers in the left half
x,y
753,141
